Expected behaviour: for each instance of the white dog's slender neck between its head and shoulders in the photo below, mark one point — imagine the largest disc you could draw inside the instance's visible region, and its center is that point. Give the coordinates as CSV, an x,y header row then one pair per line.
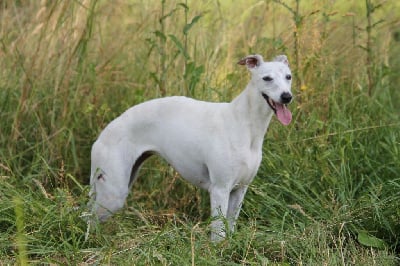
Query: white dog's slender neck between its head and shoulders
x,y
253,112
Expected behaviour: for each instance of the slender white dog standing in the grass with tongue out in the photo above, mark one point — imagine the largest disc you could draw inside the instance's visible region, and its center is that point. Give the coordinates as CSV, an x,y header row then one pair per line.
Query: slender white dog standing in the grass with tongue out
x,y
215,146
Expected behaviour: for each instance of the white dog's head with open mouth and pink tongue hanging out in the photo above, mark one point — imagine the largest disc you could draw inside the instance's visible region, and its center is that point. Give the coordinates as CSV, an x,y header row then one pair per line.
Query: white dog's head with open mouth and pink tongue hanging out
x,y
273,81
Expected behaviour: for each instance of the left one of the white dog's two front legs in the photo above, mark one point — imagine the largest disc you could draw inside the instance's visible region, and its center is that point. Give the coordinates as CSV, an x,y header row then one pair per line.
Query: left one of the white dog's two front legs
x,y
219,199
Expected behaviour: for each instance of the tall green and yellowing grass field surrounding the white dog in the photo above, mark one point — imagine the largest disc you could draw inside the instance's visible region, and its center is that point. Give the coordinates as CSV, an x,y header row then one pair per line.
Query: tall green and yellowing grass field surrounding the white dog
x,y
328,189
